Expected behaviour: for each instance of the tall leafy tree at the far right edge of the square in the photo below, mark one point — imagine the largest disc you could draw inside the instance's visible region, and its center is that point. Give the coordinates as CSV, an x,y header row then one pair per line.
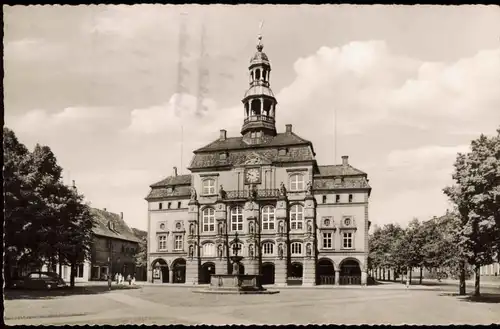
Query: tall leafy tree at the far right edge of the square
x,y
476,195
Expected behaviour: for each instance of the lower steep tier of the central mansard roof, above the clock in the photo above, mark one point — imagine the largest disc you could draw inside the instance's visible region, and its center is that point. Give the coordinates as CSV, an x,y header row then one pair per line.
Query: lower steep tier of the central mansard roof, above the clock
x,y
239,157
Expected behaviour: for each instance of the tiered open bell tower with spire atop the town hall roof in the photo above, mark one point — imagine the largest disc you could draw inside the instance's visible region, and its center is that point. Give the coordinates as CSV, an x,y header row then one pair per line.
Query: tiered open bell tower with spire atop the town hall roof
x,y
259,102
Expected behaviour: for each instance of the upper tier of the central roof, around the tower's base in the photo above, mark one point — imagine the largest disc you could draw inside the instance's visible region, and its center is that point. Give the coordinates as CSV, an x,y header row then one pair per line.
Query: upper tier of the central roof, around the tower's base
x,y
233,143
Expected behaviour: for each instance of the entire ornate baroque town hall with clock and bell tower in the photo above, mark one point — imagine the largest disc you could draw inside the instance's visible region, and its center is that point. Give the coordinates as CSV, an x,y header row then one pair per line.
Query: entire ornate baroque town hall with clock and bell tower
x,y
298,222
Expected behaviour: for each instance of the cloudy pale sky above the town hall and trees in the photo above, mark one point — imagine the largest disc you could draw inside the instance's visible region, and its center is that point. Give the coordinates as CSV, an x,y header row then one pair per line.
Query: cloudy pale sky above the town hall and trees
x,y
411,86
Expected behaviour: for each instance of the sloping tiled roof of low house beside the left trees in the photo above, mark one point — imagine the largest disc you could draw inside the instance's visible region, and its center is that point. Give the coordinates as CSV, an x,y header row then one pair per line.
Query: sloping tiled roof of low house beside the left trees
x,y
120,229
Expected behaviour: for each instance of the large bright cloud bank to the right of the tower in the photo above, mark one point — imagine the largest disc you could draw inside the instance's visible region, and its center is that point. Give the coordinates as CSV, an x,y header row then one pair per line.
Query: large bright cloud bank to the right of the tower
x,y
370,85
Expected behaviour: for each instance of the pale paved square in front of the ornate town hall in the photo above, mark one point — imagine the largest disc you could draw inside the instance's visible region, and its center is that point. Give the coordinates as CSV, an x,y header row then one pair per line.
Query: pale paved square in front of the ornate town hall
x,y
389,303
